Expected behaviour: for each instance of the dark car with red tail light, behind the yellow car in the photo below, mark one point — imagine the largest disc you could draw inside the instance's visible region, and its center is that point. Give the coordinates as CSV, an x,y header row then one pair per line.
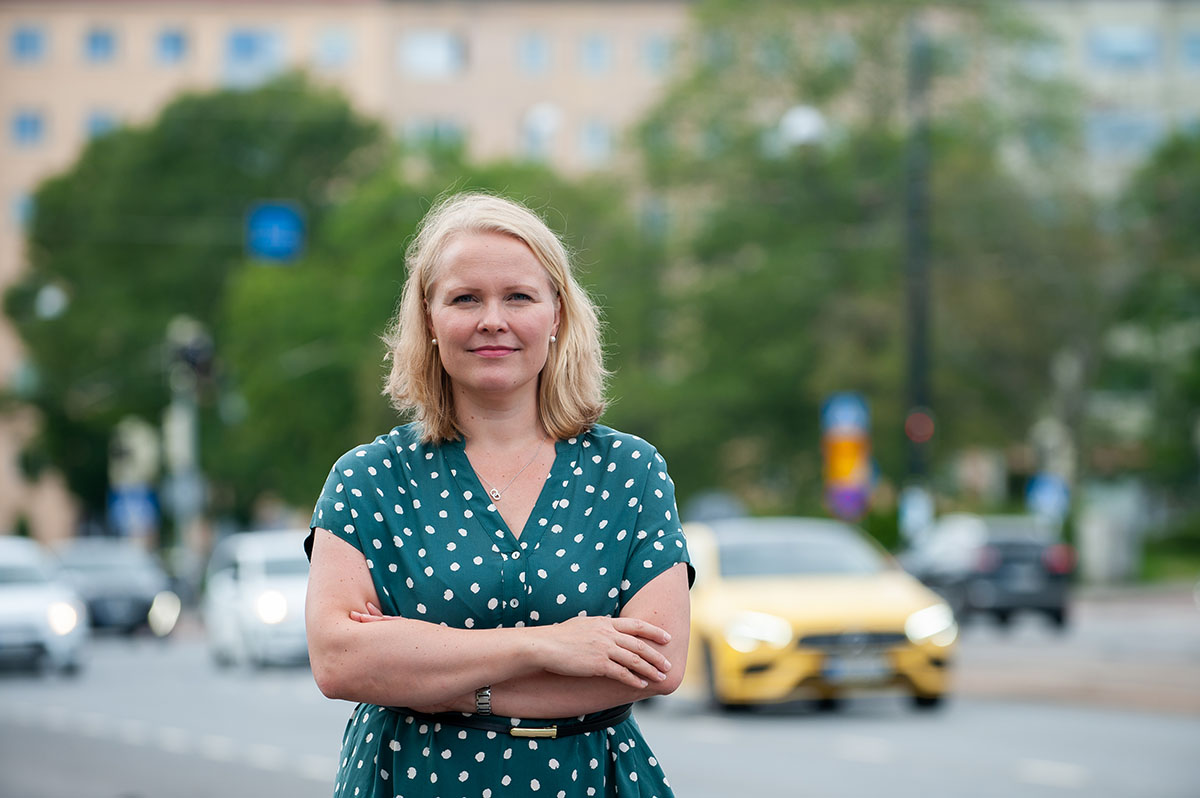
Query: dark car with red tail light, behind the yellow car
x,y
995,566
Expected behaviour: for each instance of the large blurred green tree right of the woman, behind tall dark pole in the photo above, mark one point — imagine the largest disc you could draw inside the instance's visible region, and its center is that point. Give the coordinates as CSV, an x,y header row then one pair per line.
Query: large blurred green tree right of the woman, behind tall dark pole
x,y
782,149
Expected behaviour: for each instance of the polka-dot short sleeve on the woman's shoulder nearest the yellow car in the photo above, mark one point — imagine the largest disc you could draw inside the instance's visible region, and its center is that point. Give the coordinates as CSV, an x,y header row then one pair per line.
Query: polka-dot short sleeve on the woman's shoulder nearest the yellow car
x,y
659,543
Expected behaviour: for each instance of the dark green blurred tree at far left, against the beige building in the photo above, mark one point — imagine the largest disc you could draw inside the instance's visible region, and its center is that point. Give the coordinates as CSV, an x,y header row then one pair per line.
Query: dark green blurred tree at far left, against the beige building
x,y
148,225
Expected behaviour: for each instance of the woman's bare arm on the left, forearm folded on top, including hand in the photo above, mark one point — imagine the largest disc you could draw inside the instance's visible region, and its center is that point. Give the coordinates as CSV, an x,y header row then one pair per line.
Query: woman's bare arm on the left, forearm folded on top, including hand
x,y
418,664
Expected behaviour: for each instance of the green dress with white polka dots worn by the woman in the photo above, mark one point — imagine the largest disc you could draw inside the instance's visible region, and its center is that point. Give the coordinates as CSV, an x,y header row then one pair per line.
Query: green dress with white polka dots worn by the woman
x,y
604,526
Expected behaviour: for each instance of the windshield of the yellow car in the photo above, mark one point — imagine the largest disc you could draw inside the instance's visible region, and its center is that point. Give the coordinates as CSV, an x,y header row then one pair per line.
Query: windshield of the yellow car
x,y
832,550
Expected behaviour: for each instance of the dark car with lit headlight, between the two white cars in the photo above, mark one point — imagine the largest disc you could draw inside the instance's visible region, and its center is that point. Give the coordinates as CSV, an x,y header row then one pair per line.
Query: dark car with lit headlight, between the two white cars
x,y
125,587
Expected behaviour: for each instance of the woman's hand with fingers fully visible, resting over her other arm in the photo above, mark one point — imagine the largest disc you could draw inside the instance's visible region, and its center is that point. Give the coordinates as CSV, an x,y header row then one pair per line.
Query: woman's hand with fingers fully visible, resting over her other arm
x,y
615,649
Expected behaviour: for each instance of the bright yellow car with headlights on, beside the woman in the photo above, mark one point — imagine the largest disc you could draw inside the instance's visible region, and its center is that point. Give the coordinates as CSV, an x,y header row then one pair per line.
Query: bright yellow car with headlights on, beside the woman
x,y
788,609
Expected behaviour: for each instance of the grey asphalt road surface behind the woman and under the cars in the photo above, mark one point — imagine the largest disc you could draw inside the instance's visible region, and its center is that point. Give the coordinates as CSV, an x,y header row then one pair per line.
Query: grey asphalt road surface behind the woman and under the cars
x,y
1106,711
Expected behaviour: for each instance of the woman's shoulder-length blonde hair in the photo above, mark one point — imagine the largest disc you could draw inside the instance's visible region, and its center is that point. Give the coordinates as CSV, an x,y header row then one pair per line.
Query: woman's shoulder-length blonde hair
x,y
571,392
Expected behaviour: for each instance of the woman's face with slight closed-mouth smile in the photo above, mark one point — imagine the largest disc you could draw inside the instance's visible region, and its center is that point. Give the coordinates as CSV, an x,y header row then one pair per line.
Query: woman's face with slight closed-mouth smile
x,y
493,309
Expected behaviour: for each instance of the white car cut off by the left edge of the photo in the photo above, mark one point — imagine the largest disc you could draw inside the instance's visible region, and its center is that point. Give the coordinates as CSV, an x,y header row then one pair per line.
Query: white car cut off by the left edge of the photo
x,y
44,623
